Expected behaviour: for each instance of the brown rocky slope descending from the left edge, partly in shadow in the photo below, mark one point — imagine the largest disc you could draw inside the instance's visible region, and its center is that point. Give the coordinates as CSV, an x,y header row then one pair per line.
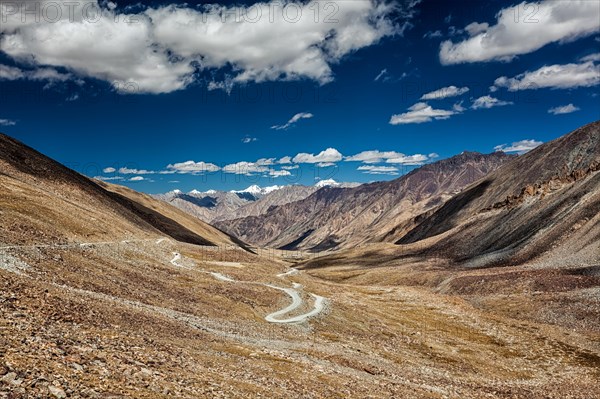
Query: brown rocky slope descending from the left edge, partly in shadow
x,y
43,202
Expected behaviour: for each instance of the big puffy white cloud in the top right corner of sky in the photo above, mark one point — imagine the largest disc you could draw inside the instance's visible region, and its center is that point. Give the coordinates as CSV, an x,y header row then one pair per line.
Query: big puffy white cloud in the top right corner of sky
x,y
524,28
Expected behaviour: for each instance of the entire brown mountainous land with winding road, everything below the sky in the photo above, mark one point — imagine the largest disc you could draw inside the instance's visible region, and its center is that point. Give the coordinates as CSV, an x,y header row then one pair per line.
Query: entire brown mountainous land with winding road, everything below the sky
x,y
393,289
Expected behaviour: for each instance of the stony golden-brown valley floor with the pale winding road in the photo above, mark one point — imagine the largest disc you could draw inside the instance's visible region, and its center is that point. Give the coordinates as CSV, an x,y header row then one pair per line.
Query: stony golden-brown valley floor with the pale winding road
x,y
155,318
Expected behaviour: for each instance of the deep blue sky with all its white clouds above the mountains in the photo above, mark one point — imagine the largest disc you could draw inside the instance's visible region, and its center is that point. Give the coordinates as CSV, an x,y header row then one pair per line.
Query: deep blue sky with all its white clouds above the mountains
x,y
283,99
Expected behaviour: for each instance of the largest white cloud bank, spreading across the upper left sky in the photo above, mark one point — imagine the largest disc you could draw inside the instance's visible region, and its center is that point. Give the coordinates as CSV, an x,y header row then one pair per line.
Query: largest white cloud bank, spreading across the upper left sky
x,y
160,50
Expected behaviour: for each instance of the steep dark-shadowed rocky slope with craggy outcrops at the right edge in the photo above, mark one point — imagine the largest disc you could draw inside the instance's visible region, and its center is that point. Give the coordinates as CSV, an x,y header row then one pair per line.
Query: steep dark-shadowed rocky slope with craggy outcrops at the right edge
x,y
545,203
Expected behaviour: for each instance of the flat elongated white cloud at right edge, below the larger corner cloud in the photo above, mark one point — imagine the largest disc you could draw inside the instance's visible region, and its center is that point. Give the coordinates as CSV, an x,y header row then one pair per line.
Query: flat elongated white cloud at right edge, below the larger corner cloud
x,y
554,77
